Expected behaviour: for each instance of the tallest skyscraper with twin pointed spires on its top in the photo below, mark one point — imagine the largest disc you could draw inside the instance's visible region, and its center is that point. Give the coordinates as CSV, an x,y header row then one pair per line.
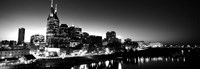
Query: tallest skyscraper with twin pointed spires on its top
x,y
52,26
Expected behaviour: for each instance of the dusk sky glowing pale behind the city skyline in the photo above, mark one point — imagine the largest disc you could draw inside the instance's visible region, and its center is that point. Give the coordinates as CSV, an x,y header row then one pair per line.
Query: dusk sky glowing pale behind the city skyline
x,y
151,20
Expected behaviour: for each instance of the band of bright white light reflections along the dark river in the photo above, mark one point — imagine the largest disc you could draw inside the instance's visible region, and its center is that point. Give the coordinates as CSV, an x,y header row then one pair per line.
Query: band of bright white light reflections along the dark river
x,y
121,62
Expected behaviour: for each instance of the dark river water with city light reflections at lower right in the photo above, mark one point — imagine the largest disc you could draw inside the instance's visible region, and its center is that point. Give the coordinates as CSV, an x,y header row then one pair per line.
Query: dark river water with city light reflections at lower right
x,y
179,59
